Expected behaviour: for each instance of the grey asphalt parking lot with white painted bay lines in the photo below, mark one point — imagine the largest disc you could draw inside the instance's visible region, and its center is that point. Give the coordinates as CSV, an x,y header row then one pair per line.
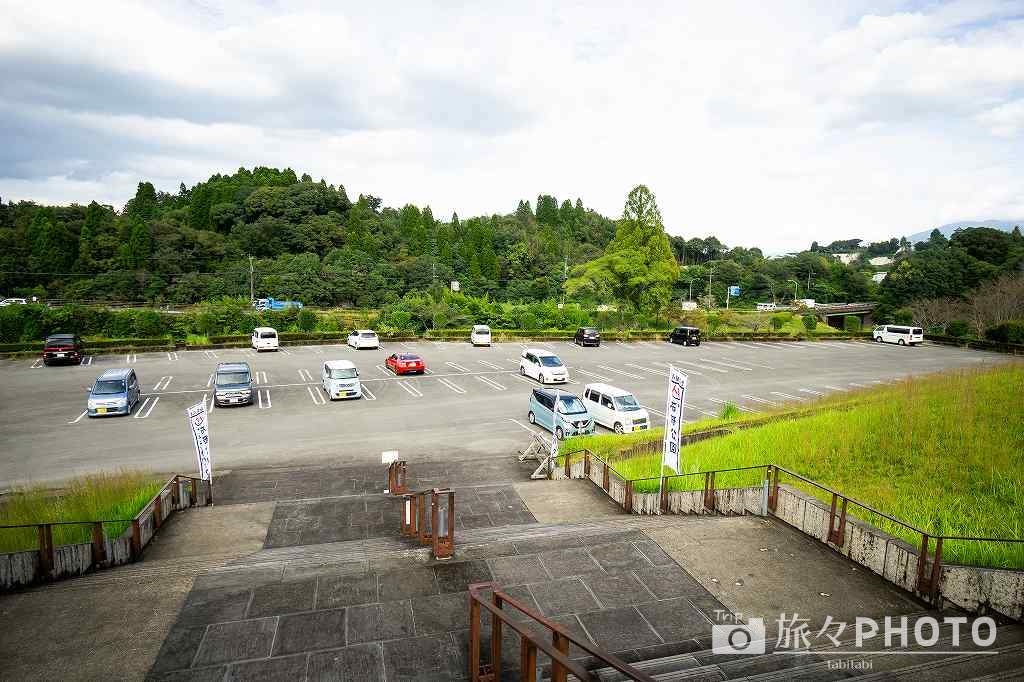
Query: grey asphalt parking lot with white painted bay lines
x,y
472,402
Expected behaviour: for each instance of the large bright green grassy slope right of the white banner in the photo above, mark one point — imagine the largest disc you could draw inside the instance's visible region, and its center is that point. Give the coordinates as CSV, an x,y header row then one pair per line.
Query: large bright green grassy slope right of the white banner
x,y
945,453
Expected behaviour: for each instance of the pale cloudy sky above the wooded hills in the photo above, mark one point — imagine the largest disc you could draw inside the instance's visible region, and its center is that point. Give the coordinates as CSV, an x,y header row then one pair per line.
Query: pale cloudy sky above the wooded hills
x,y
766,127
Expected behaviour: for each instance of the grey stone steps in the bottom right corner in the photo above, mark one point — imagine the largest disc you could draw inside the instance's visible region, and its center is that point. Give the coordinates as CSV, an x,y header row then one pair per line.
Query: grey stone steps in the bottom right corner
x,y
876,661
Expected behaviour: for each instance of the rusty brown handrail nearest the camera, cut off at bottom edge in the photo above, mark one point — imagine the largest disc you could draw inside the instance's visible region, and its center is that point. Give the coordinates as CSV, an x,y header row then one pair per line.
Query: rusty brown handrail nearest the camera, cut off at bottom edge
x,y
557,656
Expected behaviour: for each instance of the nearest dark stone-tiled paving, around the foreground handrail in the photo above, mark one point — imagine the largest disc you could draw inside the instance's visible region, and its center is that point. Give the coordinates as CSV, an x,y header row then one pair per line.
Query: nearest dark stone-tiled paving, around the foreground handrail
x,y
621,591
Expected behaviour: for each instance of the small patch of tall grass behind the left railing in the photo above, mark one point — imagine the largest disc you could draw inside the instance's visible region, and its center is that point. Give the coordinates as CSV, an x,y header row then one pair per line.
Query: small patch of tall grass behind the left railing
x,y
100,497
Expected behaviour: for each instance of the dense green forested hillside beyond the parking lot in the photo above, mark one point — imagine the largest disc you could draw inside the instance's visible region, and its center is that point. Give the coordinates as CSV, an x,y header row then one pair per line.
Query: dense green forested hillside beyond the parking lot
x,y
309,241
